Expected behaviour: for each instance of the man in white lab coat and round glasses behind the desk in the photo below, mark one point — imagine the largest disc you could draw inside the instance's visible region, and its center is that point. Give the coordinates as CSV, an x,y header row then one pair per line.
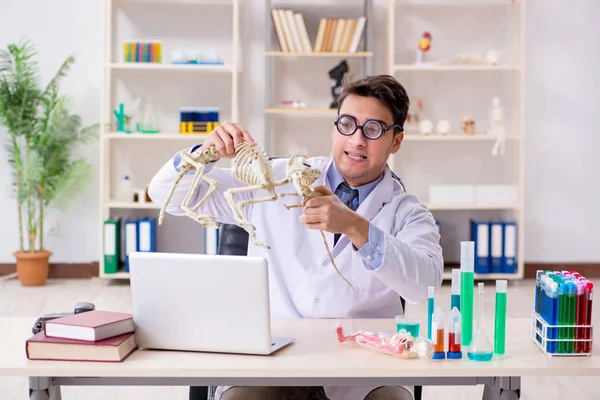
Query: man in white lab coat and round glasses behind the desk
x,y
383,240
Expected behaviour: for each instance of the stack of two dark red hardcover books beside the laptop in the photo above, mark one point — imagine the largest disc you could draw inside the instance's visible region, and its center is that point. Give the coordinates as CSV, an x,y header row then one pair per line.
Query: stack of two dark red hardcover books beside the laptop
x,y
98,336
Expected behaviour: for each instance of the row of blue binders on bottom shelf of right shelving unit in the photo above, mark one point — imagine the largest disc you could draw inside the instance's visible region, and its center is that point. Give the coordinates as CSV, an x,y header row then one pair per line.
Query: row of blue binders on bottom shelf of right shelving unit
x,y
495,246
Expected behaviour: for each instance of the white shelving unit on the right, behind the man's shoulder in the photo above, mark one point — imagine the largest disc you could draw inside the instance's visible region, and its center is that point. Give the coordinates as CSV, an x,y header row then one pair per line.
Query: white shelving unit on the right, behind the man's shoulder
x,y
405,22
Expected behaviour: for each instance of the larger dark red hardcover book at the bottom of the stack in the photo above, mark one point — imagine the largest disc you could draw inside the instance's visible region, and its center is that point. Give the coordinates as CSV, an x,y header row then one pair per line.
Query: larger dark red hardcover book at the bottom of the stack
x,y
115,349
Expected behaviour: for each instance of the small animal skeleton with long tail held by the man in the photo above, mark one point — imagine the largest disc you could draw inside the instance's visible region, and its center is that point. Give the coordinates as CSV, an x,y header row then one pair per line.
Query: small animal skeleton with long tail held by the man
x,y
252,167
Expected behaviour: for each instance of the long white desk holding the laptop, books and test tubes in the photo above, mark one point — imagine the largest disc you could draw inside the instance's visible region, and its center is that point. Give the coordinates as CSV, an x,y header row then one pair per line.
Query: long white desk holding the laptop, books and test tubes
x,y
316,358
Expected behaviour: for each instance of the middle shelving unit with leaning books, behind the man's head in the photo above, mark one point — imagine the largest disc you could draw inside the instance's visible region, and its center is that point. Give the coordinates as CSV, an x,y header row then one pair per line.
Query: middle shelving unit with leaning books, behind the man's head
x,y
316,115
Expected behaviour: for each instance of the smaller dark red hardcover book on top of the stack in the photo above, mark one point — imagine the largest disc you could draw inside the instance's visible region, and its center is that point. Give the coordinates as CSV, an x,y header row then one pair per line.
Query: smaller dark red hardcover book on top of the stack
x,y
90,326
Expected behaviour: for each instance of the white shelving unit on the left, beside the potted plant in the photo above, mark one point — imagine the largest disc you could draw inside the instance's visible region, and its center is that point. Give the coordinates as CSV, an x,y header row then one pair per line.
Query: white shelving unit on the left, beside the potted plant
x,y
177,24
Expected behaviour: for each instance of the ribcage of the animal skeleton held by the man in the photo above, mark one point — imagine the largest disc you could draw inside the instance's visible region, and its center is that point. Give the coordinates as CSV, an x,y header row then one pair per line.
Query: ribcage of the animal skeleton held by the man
x,y
252,165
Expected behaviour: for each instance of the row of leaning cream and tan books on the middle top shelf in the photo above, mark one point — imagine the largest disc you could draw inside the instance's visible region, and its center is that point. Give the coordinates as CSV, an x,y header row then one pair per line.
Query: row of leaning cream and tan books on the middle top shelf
x,y
333,34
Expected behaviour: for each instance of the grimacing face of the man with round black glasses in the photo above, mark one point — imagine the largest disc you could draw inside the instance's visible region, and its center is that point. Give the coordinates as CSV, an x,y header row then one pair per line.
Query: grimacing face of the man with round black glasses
x,y
358,159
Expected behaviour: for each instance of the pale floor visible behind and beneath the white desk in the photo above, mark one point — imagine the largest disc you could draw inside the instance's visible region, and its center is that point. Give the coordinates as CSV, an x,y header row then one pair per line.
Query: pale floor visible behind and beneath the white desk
x,y
60,295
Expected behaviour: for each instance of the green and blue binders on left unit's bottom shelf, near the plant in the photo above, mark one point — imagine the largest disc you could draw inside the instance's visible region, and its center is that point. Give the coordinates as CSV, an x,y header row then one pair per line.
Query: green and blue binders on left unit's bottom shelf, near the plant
x,y
138,235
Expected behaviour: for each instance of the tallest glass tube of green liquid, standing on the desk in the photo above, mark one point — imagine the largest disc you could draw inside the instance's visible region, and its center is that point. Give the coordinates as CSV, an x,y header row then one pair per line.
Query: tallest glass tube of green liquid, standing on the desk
x,y
467,265
